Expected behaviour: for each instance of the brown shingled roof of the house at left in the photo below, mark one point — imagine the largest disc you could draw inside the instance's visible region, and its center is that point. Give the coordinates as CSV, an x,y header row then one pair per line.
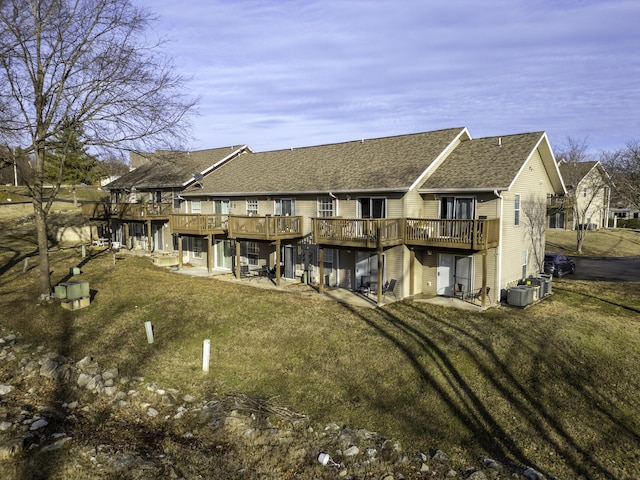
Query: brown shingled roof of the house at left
x,y
174,169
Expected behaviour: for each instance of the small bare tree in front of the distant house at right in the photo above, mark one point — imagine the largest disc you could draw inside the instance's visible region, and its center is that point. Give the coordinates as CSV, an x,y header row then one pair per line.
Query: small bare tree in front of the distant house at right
x,y
588,189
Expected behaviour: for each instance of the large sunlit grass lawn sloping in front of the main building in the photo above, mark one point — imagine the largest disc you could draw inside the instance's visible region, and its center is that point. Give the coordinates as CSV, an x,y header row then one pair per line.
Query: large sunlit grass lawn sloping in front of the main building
x,y
555,386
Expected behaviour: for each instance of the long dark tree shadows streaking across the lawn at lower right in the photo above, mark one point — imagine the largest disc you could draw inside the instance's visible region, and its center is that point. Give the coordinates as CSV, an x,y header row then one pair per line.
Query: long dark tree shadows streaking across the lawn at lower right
x,y
474,410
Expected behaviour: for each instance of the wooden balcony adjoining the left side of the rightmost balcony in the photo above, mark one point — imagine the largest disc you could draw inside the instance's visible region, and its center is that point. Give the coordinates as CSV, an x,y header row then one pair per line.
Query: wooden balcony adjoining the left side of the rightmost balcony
x,y
358,232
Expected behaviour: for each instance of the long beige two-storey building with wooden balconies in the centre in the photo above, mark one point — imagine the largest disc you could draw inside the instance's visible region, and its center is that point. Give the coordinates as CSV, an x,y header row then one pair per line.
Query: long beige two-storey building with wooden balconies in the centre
x,y
437,213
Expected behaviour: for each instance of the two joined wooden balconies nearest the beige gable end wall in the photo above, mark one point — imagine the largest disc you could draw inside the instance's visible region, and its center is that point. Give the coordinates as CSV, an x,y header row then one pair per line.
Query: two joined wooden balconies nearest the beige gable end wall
x,y
384,232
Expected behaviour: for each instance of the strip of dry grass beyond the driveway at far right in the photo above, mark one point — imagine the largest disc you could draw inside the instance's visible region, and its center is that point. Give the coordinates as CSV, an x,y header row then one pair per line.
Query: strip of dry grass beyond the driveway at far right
x,y
607,242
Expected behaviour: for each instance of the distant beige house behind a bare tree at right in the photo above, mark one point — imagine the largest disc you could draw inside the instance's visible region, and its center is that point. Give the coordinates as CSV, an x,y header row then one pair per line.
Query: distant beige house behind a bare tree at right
x,y
586,204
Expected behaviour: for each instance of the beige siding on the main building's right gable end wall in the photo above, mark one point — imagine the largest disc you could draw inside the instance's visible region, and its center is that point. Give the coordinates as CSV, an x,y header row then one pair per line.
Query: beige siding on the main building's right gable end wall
x,y
532,183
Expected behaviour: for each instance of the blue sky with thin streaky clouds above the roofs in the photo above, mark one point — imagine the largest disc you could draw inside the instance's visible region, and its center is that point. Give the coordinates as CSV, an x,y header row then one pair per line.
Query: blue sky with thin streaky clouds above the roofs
x,y
290,73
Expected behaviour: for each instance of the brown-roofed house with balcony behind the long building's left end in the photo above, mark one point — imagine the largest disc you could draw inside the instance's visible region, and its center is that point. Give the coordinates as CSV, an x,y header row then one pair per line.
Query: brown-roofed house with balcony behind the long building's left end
x,y
143,200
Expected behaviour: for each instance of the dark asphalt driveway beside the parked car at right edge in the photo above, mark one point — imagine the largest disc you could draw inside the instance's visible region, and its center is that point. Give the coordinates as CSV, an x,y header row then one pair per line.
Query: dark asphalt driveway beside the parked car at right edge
x,y
625,269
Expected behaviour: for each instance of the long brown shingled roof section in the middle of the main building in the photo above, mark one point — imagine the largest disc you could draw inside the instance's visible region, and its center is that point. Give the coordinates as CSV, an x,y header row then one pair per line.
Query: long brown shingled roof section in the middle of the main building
x,y
381,164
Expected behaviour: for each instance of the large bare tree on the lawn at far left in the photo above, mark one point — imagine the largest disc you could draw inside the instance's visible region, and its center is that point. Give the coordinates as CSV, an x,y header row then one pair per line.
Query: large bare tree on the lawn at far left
x,y
85,64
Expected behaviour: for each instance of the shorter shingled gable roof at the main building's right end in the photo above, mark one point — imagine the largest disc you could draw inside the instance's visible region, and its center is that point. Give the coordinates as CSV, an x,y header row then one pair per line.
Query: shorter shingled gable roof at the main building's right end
x,y
491,164
